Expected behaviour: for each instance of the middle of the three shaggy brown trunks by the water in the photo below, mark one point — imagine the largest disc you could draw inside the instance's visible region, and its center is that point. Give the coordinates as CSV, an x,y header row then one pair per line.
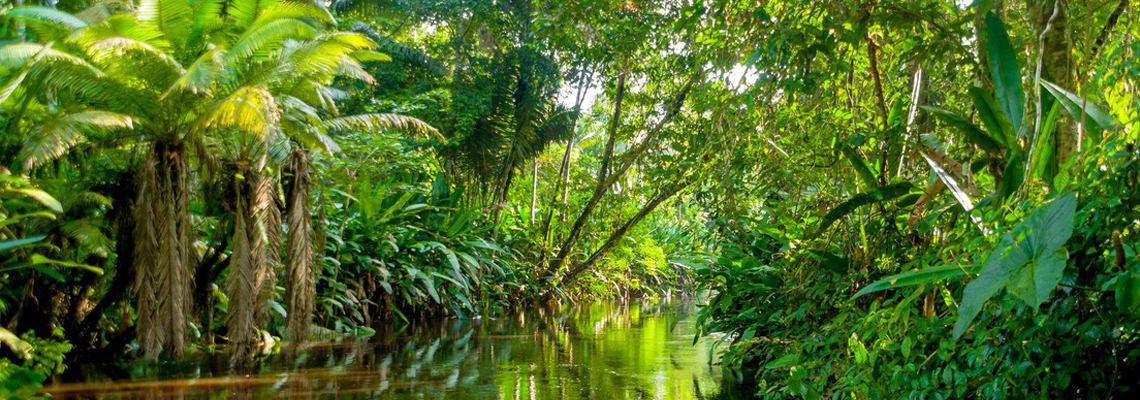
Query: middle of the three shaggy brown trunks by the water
x,y
250,284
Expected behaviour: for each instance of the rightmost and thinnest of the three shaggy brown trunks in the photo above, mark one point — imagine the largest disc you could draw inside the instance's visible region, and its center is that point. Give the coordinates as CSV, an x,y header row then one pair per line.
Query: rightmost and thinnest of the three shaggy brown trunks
x,y
300,285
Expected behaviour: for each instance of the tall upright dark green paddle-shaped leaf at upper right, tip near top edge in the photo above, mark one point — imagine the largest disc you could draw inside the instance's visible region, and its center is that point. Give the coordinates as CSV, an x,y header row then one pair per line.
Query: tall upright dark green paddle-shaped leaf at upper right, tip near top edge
x,y
1006,72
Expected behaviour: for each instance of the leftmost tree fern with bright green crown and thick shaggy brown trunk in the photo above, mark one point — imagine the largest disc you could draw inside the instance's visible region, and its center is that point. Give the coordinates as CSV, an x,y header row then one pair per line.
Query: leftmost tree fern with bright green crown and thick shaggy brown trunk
x,y
178,71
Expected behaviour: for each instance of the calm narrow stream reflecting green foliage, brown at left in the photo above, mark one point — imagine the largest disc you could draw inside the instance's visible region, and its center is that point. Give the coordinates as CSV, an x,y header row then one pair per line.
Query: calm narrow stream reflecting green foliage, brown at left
x,y
596,352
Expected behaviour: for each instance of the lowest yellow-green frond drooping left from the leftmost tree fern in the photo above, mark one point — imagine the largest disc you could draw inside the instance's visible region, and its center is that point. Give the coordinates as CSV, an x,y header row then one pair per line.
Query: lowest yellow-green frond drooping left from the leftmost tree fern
x,y
55,137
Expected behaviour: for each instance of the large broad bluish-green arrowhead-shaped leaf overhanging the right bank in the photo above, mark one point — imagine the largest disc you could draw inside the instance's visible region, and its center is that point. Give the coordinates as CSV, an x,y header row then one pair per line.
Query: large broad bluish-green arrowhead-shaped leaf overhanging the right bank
x,y
1029,263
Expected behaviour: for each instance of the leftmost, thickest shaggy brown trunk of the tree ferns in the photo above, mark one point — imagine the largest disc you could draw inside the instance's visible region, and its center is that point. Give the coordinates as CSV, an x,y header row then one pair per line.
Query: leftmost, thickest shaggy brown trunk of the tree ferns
x,y
164,250
